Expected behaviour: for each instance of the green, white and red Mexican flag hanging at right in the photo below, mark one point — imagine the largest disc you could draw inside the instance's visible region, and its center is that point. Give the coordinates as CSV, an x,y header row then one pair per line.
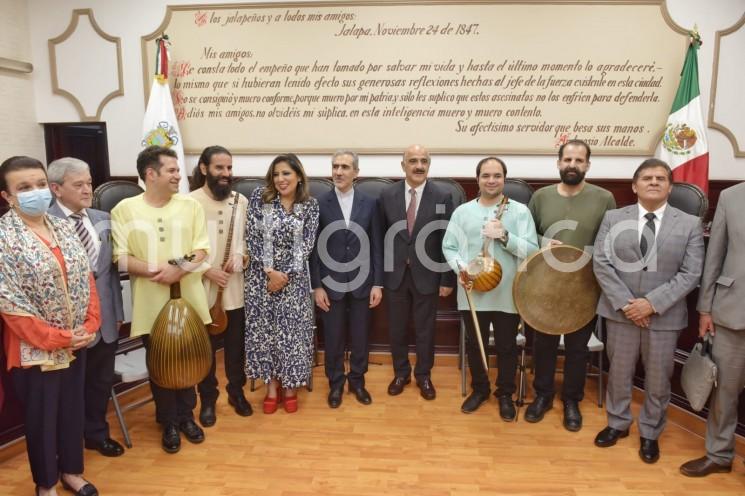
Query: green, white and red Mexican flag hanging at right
x,y
684,145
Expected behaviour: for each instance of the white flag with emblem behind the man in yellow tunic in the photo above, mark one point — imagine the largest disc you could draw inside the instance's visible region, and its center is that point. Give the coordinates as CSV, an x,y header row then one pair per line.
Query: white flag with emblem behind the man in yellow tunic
x,y
160,126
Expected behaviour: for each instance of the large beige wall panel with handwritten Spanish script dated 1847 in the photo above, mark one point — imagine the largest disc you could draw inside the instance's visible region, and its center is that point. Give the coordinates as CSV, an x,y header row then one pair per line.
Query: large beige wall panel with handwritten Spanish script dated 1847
x,y
483,77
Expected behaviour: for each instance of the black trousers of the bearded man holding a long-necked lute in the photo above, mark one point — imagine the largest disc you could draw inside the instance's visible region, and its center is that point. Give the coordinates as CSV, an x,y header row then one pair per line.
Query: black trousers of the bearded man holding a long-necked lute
x,y
234,352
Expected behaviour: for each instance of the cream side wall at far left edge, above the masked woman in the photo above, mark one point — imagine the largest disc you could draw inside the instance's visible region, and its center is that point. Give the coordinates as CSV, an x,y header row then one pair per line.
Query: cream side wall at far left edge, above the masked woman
x,y
20,134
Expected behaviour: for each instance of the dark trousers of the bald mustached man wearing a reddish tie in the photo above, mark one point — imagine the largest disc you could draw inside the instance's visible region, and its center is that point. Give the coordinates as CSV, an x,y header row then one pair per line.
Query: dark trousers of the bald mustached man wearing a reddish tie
x,y
402,302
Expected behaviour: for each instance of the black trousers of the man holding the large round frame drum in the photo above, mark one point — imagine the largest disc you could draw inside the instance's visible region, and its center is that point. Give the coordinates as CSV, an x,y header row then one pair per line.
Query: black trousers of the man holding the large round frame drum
x,y
545,350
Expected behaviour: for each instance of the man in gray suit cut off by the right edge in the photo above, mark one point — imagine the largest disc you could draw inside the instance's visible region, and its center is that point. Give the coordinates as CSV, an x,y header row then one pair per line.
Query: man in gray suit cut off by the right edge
x,y
722,313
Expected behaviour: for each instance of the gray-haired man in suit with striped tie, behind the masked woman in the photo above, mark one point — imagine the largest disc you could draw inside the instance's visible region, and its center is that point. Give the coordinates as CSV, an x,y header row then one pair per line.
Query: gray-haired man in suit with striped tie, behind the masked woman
x,y
70,181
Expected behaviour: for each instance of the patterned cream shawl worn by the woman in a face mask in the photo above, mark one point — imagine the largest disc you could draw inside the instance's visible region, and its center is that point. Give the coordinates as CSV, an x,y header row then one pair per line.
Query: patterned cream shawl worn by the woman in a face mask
x,y
32,283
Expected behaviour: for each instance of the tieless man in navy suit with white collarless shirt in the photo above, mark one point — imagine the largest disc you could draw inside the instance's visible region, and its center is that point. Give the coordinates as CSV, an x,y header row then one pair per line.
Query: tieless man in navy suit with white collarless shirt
x,y
347,275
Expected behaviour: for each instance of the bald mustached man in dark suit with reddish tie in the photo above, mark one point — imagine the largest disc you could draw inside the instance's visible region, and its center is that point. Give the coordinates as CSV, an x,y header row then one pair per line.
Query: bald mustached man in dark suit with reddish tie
x,y
415,214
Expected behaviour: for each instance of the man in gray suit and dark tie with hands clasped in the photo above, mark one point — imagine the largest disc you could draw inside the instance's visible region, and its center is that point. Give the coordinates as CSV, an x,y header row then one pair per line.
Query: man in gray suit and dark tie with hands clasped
x,y
647,258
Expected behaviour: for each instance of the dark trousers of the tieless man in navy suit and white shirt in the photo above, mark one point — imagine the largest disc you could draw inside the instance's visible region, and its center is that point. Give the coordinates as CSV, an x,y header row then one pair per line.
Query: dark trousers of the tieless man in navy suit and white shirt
x,y
353,314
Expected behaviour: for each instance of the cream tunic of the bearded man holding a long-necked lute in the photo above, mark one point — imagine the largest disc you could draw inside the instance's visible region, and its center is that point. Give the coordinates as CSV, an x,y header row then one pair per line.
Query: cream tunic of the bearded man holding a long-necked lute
x,y
218,214
